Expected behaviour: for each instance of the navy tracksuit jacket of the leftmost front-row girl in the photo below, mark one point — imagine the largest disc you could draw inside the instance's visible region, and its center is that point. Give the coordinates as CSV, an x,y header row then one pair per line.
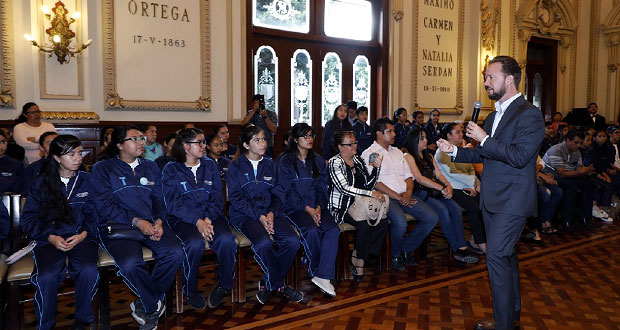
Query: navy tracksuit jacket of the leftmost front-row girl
x,y
80,201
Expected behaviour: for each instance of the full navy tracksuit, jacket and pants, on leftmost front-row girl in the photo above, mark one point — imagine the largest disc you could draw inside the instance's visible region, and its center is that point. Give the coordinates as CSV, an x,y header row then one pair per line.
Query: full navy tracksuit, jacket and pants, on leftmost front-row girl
x,y
50,265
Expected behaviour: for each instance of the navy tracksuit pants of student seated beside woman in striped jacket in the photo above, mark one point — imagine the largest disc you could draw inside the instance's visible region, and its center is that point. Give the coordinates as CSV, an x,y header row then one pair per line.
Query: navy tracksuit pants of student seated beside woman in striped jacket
x,y
320,242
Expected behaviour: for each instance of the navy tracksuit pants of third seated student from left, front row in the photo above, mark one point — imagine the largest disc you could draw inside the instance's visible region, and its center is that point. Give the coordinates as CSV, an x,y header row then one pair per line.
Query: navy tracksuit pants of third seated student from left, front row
x,y
223,245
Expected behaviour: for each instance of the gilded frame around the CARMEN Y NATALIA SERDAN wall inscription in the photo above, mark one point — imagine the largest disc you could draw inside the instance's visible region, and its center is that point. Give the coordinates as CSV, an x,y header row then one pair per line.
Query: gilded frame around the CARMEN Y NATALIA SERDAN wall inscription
x,y
458,109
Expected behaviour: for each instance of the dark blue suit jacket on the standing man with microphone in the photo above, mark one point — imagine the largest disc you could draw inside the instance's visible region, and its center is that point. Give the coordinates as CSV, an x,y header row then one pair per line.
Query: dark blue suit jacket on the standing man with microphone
x,y
508,183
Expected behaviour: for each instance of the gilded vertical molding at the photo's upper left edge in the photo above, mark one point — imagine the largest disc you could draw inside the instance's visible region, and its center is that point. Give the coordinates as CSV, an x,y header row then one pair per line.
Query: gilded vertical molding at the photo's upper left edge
x,y
7,73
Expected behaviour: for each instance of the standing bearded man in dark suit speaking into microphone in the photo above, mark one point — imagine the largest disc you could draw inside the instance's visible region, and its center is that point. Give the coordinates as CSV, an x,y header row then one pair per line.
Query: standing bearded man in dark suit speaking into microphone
x,y
508,148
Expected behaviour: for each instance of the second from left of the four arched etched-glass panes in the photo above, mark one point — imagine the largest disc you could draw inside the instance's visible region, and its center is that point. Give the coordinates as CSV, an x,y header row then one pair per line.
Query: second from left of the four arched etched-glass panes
x,y
301,88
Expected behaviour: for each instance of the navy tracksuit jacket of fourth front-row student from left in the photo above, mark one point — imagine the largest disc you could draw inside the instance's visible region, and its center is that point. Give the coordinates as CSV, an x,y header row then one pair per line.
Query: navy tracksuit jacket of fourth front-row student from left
x,y
251,196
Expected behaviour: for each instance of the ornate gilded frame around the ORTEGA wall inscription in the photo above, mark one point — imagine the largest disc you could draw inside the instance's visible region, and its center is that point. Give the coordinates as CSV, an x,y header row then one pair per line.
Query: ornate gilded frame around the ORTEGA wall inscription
x,y
114,101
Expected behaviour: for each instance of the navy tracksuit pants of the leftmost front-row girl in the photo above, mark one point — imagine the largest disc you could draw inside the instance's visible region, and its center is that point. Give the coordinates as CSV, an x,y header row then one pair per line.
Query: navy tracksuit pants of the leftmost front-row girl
x,y
51,269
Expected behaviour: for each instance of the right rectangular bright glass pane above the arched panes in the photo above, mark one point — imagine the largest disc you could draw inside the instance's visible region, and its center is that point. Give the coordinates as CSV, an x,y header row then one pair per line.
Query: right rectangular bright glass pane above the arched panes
x,y
351,19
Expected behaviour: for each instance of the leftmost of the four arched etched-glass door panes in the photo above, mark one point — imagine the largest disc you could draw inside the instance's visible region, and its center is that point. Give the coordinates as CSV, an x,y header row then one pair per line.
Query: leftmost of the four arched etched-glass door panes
x,y
266,76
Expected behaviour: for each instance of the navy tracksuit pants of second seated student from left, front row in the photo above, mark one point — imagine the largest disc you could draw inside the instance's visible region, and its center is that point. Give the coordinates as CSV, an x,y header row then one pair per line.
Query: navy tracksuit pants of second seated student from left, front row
x,y
127,254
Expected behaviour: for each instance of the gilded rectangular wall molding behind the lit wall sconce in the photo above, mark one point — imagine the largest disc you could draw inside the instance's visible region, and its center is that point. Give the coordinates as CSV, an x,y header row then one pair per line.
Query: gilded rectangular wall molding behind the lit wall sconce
x,y
43,94
